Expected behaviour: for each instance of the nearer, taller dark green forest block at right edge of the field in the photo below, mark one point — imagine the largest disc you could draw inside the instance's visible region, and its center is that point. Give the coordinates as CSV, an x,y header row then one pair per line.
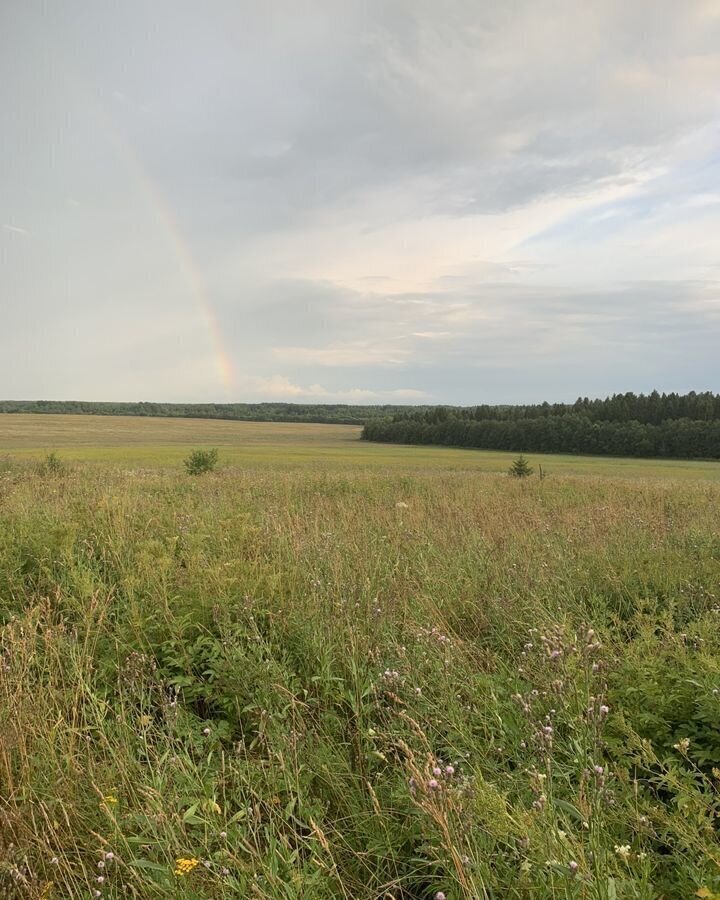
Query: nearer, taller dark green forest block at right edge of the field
x,y
647,425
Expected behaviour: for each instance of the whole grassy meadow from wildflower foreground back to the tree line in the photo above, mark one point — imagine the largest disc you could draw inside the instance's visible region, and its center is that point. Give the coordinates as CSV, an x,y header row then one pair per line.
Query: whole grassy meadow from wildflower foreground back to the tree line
x,y
333,669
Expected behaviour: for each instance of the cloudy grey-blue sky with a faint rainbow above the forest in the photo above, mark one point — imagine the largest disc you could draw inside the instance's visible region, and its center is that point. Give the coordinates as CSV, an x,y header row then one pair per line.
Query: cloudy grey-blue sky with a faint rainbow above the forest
x,y
361,201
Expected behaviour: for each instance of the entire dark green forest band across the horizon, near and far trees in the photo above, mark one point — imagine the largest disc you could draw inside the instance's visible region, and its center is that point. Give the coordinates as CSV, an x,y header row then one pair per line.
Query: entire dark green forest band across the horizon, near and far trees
x,y
682,426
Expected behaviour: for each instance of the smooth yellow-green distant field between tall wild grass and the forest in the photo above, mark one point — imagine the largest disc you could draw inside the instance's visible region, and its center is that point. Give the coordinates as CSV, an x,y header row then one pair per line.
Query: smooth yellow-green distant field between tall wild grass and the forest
x,y
150,442
